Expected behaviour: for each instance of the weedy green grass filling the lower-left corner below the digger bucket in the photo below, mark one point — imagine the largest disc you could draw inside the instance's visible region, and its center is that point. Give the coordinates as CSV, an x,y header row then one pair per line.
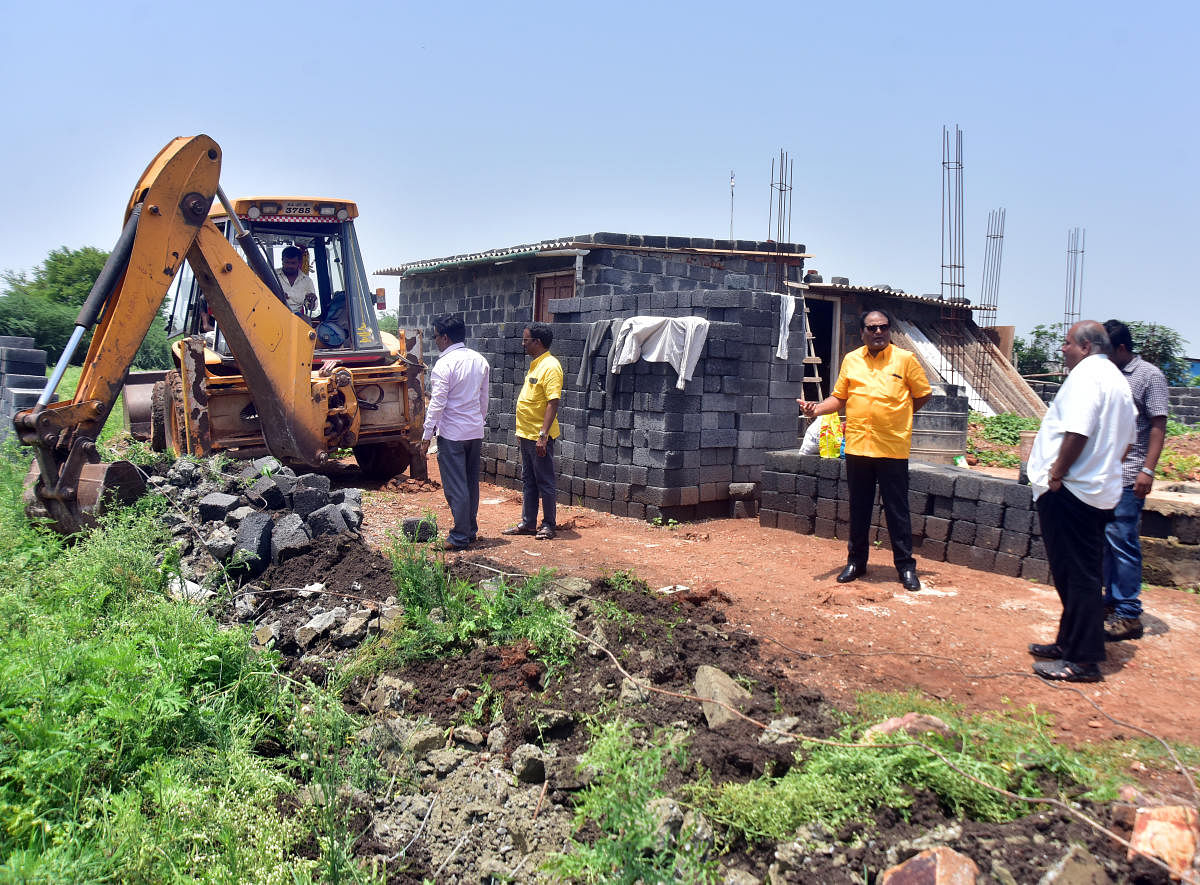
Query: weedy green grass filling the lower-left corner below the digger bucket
x,y
129,723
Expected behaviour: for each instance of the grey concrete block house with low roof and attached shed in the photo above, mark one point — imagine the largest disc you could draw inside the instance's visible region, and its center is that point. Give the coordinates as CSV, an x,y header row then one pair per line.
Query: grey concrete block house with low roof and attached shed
x,y
646,442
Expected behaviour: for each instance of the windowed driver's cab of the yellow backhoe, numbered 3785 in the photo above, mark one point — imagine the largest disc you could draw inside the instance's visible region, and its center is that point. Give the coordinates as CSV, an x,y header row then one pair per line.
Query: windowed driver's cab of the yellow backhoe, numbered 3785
x,y
344,314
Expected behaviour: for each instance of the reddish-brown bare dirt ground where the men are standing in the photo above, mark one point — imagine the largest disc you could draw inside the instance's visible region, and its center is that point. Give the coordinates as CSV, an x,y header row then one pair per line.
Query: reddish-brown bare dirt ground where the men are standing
x,y
963,637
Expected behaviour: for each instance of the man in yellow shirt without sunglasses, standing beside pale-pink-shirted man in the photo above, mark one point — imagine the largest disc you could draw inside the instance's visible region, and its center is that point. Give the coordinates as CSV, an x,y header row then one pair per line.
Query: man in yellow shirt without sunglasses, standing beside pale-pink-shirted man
x,y
537,432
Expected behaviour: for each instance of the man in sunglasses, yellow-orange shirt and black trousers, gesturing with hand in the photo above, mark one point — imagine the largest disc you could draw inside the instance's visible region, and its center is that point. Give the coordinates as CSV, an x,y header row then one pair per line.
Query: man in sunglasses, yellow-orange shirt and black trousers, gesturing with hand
x,y
881,387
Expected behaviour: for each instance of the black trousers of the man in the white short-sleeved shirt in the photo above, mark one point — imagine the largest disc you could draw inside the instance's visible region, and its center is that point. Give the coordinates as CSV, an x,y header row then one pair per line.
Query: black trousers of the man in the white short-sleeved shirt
x,y
1073,533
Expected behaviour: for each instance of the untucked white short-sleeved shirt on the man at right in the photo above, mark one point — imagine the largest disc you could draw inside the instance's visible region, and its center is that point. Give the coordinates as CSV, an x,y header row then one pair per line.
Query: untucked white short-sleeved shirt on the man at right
x,y
1094,402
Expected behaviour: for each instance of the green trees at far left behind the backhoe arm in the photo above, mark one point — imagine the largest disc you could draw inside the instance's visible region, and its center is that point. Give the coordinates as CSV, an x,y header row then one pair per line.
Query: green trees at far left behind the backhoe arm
x,y
44,306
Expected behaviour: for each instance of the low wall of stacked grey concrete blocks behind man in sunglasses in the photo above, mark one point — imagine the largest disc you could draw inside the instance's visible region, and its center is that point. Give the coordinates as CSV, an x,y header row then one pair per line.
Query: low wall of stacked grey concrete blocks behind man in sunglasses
x,y
958,516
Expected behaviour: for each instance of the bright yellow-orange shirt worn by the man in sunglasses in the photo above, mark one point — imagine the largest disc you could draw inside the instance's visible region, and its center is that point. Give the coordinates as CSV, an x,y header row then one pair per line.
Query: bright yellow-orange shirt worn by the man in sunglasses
x,y
879,393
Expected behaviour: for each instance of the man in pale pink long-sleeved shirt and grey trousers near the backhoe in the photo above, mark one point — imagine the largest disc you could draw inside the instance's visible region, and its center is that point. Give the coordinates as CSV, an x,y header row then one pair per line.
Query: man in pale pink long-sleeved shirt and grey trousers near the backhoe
x,y
457,412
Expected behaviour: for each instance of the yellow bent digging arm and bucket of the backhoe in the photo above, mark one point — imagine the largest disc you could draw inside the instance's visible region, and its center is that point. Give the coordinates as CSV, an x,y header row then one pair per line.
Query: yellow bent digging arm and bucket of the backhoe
x,y
166,225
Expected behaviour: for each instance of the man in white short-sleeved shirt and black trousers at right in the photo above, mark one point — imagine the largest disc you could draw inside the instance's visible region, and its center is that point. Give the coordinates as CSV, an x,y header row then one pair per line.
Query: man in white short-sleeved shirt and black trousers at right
x,y
1076,474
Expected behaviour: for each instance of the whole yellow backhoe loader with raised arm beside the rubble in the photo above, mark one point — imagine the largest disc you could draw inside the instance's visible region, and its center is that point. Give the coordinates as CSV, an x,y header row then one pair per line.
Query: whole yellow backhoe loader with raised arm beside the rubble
x,y
251,377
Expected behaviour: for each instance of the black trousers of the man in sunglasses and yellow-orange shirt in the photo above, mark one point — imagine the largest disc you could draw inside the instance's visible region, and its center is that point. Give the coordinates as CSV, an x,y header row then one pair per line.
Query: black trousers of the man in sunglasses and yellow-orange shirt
x,y
891,475
